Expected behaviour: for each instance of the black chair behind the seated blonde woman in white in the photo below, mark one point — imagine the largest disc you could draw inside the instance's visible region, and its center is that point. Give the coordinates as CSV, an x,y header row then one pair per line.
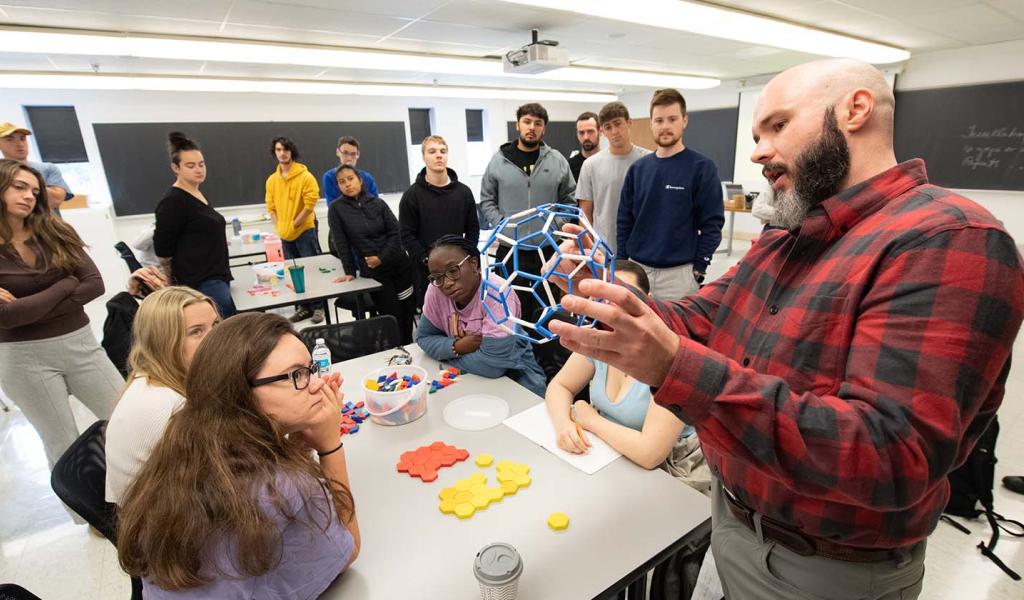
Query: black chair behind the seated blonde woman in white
x,y
79,481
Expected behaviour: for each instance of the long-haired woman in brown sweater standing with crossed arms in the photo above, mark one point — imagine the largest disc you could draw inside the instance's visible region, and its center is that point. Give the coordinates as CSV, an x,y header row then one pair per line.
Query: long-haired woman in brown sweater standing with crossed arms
x,y
48,351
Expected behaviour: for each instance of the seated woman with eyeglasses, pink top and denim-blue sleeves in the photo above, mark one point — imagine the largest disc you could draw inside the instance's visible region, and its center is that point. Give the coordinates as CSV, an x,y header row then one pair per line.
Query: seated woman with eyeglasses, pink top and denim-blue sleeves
x,y
455,326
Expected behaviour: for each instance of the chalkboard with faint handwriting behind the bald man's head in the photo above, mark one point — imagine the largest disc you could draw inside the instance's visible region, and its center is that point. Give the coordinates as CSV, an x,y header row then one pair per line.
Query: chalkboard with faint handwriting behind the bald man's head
x,y
970,138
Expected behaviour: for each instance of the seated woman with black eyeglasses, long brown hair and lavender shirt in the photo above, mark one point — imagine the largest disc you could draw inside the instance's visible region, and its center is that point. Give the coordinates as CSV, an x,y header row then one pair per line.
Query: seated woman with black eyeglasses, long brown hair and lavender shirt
x,y
232,503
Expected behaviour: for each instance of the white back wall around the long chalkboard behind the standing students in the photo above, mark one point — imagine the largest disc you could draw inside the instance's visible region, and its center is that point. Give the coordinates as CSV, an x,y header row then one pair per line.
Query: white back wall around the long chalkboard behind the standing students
x,y
99,223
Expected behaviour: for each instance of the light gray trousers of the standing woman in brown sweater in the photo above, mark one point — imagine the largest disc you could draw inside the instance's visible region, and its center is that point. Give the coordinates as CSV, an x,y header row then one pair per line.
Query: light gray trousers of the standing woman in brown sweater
x,y
40,375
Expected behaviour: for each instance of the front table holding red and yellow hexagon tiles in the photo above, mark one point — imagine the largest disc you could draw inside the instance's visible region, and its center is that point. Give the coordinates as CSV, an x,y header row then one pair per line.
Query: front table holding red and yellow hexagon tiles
x,y
624,520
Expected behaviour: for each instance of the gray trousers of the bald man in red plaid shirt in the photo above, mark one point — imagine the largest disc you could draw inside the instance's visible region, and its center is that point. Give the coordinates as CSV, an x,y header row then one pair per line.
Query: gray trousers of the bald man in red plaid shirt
x,y
752,568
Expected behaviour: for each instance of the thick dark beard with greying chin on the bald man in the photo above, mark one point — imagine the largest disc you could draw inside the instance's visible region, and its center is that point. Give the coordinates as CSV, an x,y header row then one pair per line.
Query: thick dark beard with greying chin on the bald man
x,y
818,176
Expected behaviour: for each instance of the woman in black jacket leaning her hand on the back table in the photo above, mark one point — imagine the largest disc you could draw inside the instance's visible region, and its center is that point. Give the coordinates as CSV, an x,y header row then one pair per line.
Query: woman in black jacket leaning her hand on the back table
x,y
365,234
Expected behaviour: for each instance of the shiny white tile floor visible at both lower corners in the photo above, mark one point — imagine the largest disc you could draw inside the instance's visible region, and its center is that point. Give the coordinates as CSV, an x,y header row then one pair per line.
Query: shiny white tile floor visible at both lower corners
x,y
42,550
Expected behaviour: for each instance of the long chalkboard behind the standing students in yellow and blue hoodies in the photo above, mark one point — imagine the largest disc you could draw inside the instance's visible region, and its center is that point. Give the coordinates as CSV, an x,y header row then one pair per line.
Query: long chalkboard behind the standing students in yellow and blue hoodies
x,y
239,158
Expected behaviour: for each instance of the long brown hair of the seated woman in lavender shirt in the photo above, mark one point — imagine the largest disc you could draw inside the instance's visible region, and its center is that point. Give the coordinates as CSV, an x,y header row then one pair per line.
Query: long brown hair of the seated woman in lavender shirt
x,y
220,454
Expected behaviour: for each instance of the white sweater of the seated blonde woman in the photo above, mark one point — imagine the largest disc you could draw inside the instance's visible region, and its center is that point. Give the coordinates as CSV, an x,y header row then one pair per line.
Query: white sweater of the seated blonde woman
x,y
136,427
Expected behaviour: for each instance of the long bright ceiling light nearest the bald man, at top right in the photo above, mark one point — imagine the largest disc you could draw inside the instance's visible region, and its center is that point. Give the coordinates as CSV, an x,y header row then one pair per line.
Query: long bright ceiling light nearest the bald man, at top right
x,y
731,25
